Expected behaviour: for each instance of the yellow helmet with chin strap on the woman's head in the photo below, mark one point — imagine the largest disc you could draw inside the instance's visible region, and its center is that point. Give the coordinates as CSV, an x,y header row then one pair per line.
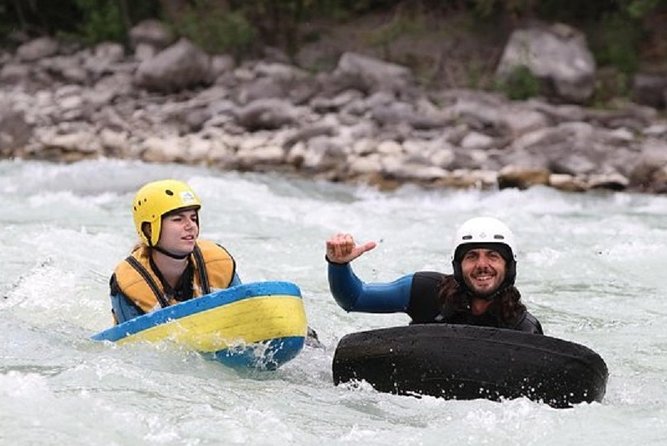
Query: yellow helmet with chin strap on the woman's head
x,y
156,199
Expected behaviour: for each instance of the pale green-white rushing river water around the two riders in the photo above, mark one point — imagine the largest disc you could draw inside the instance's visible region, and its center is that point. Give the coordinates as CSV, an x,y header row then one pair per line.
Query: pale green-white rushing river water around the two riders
x,y
591,268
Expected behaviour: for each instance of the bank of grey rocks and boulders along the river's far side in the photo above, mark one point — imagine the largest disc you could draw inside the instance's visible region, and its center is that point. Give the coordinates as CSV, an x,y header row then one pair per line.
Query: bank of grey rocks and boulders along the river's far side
x,y
364,121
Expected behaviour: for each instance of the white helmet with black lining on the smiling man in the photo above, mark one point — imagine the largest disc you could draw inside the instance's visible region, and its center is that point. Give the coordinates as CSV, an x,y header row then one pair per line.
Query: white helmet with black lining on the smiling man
x,y
484,232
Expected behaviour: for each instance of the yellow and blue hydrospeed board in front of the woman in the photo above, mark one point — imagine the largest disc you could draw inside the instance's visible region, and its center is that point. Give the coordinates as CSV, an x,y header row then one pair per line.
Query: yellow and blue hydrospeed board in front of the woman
x,y
259,325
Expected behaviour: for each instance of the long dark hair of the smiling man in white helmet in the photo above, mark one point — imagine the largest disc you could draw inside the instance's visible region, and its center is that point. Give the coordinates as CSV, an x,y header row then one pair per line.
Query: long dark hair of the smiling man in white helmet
x,y
506,304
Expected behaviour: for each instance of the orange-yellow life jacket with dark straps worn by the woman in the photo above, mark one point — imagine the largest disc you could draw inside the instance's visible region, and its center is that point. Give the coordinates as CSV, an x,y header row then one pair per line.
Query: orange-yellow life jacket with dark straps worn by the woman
x,y
214,268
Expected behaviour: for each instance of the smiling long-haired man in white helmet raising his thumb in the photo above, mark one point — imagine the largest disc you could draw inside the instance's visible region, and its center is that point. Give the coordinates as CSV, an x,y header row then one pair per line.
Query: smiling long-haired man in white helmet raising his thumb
x,y
480,292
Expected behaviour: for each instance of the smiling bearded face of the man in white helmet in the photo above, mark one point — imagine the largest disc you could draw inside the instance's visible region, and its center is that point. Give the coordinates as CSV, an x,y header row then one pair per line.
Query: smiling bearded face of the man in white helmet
x,y
483,271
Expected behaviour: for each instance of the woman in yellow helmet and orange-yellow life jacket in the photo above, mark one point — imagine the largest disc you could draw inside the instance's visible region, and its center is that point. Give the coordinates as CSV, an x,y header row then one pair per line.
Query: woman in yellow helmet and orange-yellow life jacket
x,y
171,264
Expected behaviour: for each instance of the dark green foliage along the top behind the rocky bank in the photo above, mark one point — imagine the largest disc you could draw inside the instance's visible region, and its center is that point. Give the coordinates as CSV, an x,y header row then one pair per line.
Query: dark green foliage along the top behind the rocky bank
x,y
618,30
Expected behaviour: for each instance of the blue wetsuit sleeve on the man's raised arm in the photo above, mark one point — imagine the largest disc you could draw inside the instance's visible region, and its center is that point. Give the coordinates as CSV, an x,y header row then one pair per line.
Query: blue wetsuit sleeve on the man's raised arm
x,y
354,295
